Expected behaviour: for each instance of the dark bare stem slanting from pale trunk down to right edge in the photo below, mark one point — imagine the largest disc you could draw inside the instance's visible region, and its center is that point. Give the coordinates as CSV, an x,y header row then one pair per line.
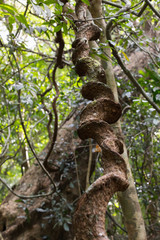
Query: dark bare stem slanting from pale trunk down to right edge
x,y
126,71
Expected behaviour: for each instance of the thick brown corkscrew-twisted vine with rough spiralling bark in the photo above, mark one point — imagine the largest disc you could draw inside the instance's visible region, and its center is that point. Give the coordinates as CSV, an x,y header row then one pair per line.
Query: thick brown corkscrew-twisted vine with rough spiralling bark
x,y
95,120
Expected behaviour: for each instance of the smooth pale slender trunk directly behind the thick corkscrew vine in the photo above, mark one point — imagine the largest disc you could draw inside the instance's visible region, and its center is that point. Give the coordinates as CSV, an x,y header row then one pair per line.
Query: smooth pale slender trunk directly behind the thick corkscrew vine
x,y
129,200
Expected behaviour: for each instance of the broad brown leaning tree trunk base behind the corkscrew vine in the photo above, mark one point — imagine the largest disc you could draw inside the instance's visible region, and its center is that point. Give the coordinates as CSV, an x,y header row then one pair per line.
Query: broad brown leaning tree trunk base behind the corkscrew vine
x,y
37,218
